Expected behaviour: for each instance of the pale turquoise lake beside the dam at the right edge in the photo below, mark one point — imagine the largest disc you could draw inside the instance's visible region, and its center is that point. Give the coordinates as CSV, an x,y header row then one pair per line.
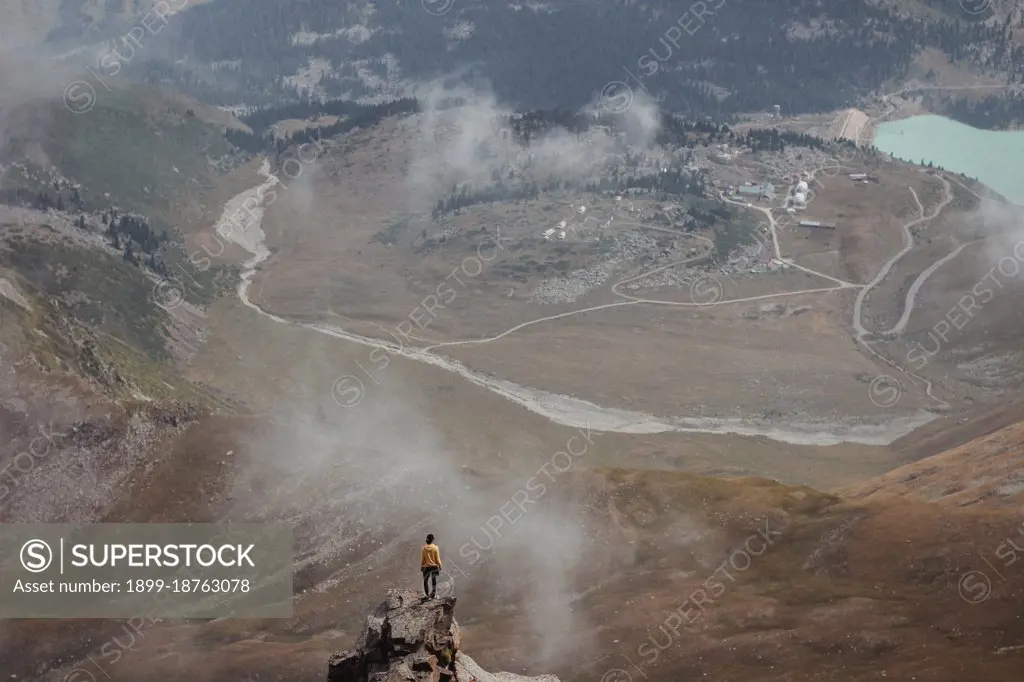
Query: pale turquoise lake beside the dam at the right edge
x,y
996,158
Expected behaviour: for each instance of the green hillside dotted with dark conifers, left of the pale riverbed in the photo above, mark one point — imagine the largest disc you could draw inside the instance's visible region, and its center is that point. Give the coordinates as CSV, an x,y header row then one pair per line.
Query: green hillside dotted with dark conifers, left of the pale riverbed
x,y
70,180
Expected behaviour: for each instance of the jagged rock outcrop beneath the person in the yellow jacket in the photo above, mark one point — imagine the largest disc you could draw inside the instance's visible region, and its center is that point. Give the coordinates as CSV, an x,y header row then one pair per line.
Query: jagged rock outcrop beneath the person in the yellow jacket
x,y
408,640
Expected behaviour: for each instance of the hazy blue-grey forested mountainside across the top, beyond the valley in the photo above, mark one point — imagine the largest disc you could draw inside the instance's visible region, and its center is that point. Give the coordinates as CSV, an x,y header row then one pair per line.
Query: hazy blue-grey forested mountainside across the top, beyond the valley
x,y
805,57
